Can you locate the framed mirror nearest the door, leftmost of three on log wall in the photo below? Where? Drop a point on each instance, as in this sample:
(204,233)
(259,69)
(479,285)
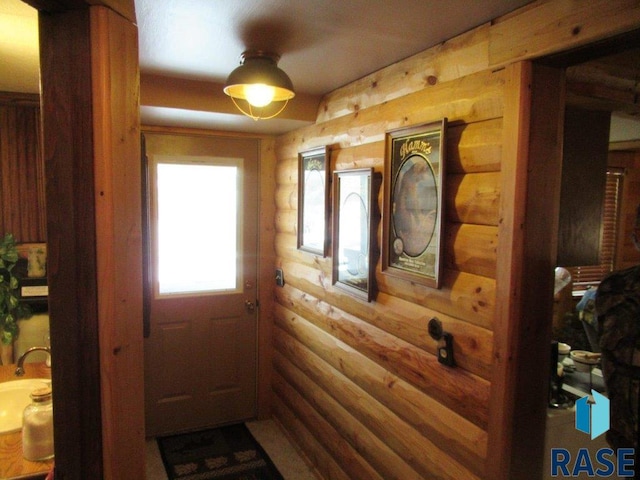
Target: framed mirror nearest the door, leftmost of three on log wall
(313,201)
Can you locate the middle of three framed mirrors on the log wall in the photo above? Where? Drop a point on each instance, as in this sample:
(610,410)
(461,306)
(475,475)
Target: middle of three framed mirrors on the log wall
(354,256)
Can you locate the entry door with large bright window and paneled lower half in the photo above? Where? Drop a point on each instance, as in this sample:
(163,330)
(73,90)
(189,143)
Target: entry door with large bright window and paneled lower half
(200,298)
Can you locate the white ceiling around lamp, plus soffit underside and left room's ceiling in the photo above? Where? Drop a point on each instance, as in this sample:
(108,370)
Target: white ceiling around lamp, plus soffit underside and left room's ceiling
(324,44)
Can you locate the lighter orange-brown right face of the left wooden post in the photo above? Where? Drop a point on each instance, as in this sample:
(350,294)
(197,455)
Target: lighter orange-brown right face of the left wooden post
(118,210)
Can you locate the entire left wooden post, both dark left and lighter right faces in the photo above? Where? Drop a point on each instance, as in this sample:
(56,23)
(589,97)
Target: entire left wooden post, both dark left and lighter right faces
(92,154)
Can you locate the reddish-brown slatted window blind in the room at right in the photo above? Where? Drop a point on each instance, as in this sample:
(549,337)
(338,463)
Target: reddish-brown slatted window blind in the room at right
(591,275)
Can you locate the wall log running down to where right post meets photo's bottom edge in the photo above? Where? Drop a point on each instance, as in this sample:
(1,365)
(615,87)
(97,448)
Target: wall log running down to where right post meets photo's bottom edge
(419,452)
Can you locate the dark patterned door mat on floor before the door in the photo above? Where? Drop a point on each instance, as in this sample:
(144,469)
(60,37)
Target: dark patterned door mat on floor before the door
(226,453)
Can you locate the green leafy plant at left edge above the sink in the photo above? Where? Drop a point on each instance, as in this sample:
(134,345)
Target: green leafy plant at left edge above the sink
(11,309)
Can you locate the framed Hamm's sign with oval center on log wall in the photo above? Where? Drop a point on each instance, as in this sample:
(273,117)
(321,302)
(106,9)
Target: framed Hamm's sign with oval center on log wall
(413,203)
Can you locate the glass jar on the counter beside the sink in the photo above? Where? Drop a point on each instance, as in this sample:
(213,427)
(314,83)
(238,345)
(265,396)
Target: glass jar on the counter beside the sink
(37,426)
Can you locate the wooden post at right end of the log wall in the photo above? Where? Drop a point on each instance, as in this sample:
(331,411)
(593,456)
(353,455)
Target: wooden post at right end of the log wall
(534,101)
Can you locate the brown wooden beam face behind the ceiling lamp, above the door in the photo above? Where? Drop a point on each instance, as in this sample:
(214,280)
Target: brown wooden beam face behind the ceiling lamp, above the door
(199,95)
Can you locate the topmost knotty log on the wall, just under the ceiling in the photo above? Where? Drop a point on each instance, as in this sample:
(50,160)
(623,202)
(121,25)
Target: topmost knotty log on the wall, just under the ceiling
(463,55)
